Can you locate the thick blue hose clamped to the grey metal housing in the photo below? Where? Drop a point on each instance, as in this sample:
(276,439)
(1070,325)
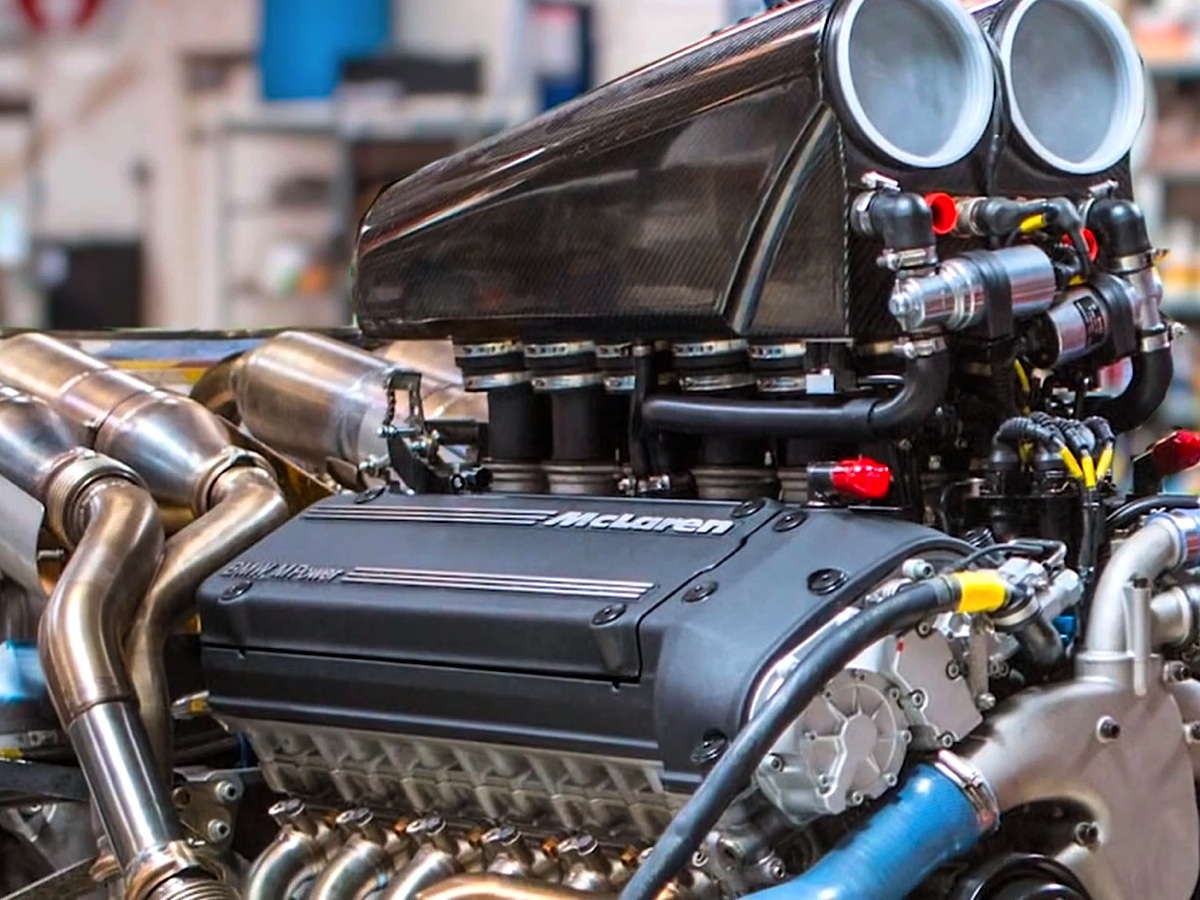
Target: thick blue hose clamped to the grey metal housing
(929,823)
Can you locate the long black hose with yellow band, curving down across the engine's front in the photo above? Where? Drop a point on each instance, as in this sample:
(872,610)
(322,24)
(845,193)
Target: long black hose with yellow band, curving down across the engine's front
(735,770)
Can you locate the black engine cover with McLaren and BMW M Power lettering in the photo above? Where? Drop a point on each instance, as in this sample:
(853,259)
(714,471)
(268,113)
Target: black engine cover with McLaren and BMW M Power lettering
(617,627)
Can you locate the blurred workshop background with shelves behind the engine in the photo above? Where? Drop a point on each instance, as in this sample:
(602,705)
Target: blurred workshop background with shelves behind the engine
(205,164)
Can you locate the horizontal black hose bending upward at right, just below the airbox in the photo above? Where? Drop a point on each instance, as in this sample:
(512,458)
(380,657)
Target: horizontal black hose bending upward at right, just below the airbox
(925,388)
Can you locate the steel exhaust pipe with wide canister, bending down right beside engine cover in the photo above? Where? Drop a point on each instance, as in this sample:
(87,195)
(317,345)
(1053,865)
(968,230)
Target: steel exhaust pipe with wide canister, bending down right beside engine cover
(184,454)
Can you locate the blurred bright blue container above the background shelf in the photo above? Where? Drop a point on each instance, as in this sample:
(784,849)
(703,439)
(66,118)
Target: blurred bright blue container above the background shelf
(305,41)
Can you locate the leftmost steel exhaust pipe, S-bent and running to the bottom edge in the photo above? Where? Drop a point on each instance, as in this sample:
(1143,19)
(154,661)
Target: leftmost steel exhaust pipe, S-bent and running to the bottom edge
(104,514)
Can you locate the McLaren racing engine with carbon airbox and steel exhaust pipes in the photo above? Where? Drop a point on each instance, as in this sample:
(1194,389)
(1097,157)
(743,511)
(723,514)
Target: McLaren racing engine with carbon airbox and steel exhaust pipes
(731,488)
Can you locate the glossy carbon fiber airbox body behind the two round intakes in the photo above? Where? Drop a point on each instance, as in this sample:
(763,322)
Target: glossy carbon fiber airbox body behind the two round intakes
(707,195)
